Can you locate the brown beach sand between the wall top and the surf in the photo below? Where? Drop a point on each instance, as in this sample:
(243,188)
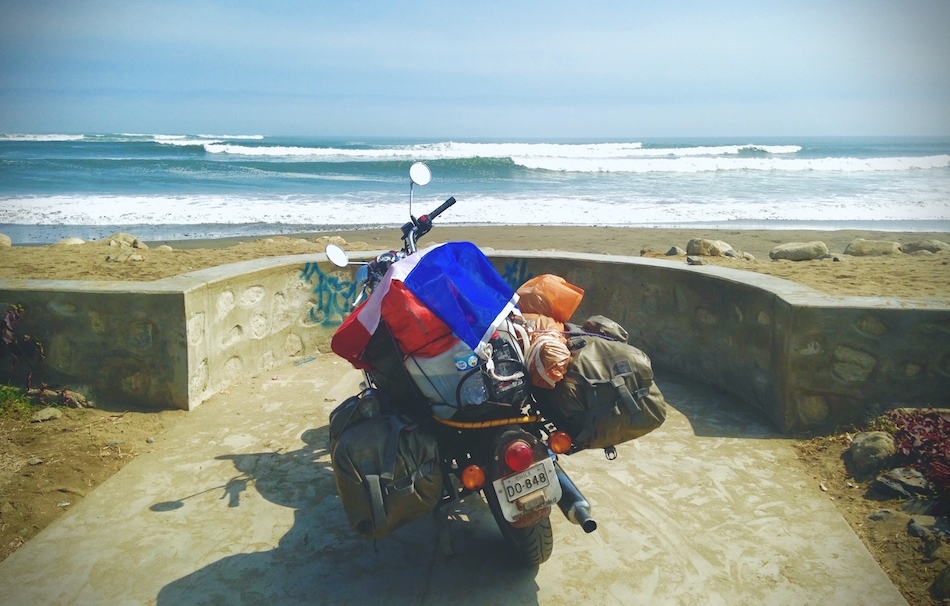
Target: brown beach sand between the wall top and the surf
(926,276)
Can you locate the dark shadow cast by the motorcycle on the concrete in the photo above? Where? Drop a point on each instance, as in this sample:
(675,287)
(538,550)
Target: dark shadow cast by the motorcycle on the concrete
(321,559)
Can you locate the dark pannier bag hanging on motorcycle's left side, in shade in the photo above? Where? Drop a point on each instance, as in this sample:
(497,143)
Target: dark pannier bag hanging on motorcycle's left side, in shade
(386,467)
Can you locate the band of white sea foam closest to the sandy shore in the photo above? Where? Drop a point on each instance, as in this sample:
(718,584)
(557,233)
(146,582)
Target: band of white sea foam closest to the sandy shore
(362,209)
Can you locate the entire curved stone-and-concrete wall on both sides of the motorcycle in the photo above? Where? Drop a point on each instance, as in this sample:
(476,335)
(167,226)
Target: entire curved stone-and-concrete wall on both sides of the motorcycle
(804,358)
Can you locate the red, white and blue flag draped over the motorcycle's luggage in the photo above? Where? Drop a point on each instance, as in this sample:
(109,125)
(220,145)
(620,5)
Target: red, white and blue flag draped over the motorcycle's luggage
(453,281)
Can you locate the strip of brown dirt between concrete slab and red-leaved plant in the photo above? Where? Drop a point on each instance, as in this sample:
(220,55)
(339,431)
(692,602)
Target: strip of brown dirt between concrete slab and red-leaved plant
(911,563)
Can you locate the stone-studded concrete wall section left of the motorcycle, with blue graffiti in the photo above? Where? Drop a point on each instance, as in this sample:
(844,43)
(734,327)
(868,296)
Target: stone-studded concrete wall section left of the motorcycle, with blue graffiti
(177,341)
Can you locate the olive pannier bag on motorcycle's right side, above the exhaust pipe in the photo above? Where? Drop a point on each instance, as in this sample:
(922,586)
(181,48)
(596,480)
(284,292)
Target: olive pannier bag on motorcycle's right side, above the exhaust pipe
(607,395)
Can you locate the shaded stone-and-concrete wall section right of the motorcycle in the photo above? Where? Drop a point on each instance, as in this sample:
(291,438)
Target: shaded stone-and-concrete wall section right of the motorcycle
(804,358)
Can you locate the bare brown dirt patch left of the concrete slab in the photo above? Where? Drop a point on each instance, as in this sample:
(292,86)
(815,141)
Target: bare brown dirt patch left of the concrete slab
(48,467)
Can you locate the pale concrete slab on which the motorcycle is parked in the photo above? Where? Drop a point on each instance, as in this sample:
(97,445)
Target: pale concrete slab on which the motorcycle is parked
(237,505)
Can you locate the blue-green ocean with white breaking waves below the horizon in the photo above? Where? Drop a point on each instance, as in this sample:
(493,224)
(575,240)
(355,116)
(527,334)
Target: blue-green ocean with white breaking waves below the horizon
(166,187)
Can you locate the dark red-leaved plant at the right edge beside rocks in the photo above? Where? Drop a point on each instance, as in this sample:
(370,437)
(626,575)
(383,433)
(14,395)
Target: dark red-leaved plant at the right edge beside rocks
(923,442)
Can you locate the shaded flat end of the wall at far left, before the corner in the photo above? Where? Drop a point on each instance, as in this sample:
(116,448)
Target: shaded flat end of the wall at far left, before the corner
(126,341)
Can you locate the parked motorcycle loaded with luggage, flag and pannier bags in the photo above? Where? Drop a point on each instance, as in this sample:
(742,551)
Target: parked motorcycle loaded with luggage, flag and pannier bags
(447,407)
